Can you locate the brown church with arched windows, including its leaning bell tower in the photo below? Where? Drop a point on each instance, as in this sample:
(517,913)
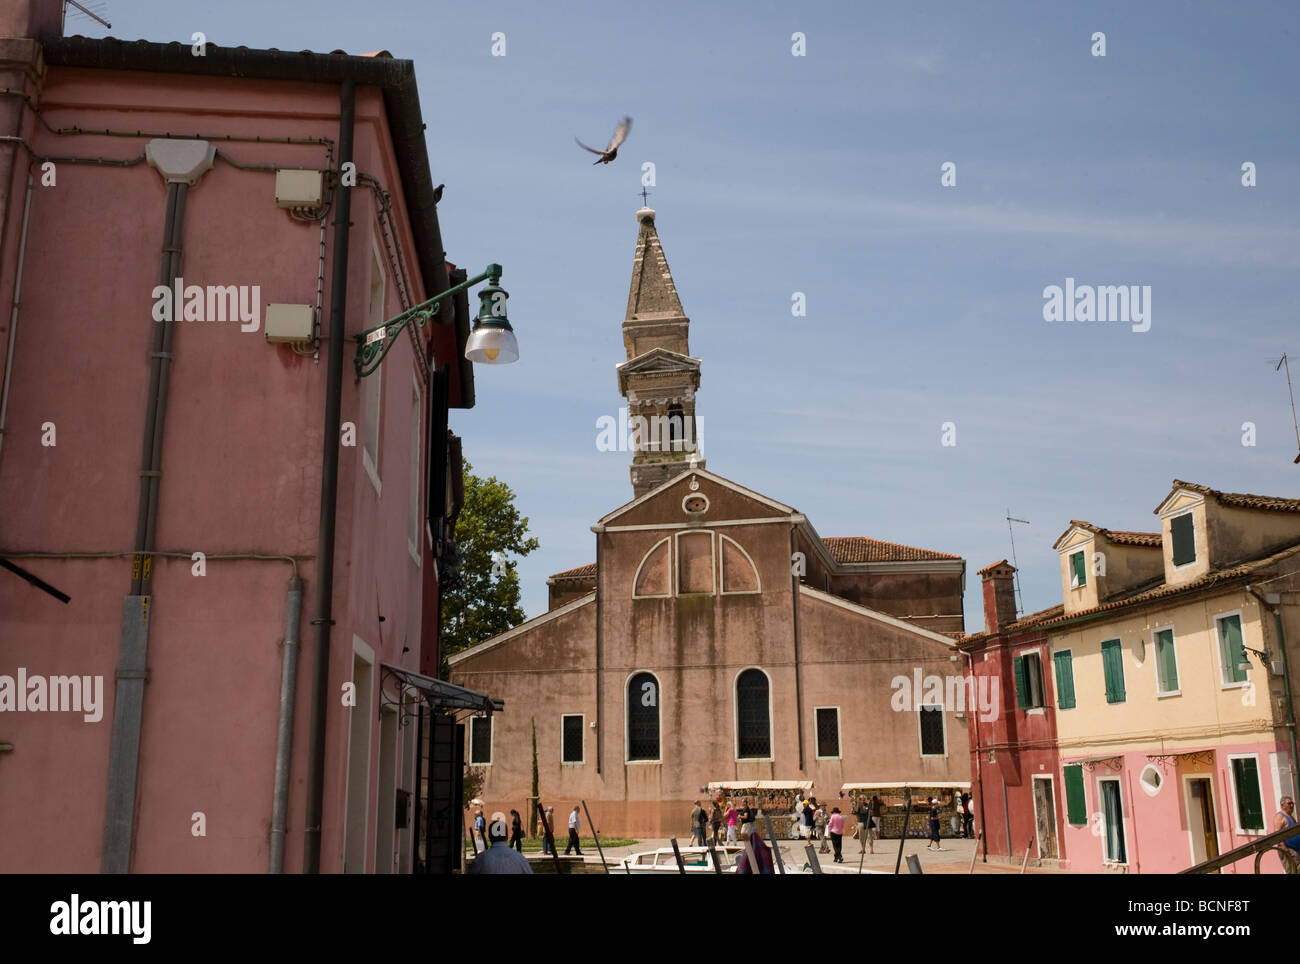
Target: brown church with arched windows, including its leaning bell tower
(718,637)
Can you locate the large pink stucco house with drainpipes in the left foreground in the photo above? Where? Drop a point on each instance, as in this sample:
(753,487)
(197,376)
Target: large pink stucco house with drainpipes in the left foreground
(220,548)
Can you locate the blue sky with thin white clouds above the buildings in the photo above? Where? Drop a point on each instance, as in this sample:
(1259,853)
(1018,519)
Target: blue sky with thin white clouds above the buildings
(925,303)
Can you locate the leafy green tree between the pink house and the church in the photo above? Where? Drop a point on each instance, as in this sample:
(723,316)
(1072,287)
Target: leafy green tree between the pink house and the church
(486,600)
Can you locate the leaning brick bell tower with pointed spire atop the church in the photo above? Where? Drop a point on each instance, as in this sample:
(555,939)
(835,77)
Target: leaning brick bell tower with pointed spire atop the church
(660,379)
